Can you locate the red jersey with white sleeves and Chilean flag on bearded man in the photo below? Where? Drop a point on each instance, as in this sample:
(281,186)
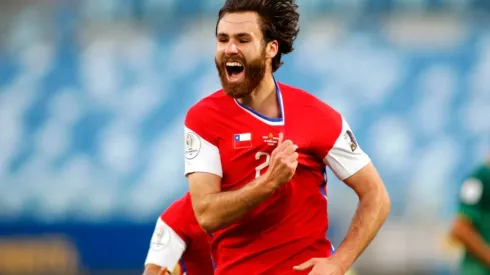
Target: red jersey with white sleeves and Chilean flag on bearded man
(228,139)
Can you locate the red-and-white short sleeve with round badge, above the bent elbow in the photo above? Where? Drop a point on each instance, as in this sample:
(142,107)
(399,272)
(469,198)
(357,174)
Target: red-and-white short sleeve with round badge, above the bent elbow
(201,144)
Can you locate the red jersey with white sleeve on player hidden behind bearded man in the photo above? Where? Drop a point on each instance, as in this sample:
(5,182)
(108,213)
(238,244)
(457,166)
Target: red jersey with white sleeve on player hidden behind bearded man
(178,239)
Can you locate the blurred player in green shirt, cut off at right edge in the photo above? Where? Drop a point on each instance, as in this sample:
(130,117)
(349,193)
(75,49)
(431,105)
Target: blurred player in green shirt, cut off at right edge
(472,225)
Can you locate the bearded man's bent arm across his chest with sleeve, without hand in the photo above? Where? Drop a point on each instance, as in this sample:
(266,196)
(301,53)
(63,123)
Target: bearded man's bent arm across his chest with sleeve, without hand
(213,208)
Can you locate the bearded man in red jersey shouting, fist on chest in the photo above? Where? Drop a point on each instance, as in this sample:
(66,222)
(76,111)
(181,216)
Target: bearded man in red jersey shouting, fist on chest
(256,153)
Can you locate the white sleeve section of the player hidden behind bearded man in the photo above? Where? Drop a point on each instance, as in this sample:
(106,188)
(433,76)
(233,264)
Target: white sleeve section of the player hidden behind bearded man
(166,247)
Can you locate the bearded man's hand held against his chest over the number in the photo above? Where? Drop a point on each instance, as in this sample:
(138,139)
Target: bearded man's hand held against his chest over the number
(283,164)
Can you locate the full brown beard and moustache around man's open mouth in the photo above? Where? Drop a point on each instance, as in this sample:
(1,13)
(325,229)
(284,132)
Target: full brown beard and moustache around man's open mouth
(253,70)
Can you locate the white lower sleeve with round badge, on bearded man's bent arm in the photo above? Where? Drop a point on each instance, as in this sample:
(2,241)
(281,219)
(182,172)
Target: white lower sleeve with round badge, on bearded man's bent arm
(200,155)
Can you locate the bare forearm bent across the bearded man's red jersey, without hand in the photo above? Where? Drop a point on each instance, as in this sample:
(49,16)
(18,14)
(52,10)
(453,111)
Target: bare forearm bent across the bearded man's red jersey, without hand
(219,210)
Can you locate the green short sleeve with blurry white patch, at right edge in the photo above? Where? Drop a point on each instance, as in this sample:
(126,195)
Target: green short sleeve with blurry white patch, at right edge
(470,196)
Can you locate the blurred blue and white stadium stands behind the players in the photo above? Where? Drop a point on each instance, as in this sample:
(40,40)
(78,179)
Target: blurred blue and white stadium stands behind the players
(93,96)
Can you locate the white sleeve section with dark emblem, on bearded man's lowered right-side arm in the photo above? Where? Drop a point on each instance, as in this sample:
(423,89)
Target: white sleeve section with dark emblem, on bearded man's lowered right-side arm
(346,157)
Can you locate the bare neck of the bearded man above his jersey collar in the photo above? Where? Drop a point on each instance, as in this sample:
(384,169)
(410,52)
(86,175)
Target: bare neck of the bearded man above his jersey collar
(263,99)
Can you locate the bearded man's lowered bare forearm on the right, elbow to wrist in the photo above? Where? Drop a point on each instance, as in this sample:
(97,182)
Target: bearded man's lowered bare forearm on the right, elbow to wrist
(371,213)
